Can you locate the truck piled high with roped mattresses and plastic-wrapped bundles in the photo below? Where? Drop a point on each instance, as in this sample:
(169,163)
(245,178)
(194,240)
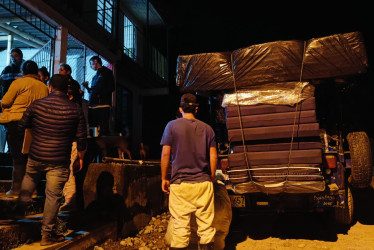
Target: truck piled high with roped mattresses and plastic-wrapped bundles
(276,150)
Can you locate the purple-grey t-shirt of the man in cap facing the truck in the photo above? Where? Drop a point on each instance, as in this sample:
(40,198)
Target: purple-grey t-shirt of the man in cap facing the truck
(190,140)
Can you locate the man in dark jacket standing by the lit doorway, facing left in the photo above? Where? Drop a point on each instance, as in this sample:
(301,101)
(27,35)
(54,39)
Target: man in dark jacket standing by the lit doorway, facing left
(100,101)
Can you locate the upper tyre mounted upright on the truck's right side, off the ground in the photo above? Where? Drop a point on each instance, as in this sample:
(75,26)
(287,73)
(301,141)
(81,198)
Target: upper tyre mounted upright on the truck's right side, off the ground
(361,160)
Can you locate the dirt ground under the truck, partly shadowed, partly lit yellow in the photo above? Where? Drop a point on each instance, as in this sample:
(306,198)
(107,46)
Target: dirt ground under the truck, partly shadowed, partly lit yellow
(306,231)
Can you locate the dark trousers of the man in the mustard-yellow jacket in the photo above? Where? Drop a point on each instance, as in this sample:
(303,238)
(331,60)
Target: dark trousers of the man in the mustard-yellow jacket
(15,143)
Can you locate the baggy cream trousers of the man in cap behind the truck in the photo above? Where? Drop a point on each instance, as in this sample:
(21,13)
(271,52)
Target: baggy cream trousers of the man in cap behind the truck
(191,198)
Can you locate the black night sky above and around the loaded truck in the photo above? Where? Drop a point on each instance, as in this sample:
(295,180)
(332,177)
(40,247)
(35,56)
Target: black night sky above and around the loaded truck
(214,26)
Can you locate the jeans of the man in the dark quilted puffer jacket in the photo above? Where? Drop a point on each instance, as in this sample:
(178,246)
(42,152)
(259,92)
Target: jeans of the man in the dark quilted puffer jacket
(56,175)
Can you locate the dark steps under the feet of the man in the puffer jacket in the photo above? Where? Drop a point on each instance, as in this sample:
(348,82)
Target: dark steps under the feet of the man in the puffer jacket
(81,232)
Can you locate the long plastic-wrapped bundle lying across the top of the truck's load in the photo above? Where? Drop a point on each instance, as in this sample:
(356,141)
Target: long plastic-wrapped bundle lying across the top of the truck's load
(332,56)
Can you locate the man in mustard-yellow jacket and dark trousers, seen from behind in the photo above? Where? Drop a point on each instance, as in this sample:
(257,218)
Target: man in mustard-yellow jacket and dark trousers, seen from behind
(21,93)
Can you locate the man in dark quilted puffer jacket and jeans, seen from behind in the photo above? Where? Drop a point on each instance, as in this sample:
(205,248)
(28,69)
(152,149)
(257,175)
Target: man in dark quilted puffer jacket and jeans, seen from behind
(56,122)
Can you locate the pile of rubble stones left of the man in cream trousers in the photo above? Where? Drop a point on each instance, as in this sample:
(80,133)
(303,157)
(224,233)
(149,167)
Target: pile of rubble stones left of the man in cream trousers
(150,237)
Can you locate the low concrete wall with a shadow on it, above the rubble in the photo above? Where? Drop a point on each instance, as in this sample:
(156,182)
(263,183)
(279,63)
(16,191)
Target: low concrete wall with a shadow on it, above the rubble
(138,188)
